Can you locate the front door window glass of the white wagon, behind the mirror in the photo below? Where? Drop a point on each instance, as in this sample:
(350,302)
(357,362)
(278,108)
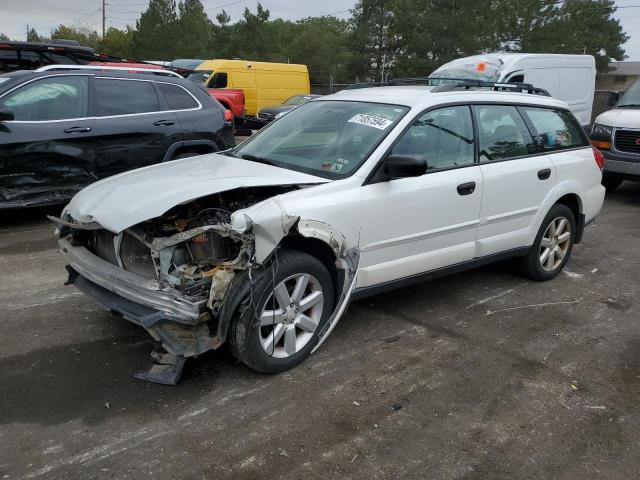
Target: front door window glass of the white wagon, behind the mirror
(444,137)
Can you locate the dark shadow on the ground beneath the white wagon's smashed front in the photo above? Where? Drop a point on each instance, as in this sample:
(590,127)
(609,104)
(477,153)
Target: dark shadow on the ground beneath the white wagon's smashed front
(93,381)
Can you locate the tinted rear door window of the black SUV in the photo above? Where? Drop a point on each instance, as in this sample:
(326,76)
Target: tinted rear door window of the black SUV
(124,97)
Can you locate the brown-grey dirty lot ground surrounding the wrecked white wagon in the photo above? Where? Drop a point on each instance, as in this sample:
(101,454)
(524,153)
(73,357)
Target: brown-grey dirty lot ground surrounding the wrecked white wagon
(479,375)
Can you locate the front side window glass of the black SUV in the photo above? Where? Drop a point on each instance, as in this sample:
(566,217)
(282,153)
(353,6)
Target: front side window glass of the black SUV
(53,98)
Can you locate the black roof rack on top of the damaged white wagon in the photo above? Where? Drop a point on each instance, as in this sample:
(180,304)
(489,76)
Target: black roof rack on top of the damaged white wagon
(455,83)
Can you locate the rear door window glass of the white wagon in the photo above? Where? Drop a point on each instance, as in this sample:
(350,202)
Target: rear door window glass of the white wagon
(502,133)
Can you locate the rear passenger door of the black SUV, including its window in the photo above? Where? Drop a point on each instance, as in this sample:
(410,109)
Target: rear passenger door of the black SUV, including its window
(135,128)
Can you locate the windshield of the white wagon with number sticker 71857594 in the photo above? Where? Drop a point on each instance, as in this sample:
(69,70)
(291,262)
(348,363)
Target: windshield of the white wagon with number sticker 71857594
(330,139)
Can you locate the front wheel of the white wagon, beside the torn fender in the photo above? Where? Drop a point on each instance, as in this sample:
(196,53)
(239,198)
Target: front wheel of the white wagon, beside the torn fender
(277,325)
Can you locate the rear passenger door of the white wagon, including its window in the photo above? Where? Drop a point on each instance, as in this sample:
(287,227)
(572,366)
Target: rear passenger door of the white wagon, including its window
(517,178)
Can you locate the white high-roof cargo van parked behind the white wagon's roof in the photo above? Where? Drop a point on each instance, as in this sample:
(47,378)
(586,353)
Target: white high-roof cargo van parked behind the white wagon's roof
(570,78)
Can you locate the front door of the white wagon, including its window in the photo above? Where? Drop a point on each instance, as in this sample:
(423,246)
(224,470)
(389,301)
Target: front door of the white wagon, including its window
(418,224)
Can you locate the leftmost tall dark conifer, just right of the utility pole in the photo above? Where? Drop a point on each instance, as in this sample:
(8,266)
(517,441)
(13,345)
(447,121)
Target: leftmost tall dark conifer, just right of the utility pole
(156,32)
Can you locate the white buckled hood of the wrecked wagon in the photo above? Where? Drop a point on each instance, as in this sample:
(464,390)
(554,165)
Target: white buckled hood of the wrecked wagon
(121,201)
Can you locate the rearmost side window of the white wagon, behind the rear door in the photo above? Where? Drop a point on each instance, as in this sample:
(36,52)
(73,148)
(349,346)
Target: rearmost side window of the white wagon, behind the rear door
(554,129)
